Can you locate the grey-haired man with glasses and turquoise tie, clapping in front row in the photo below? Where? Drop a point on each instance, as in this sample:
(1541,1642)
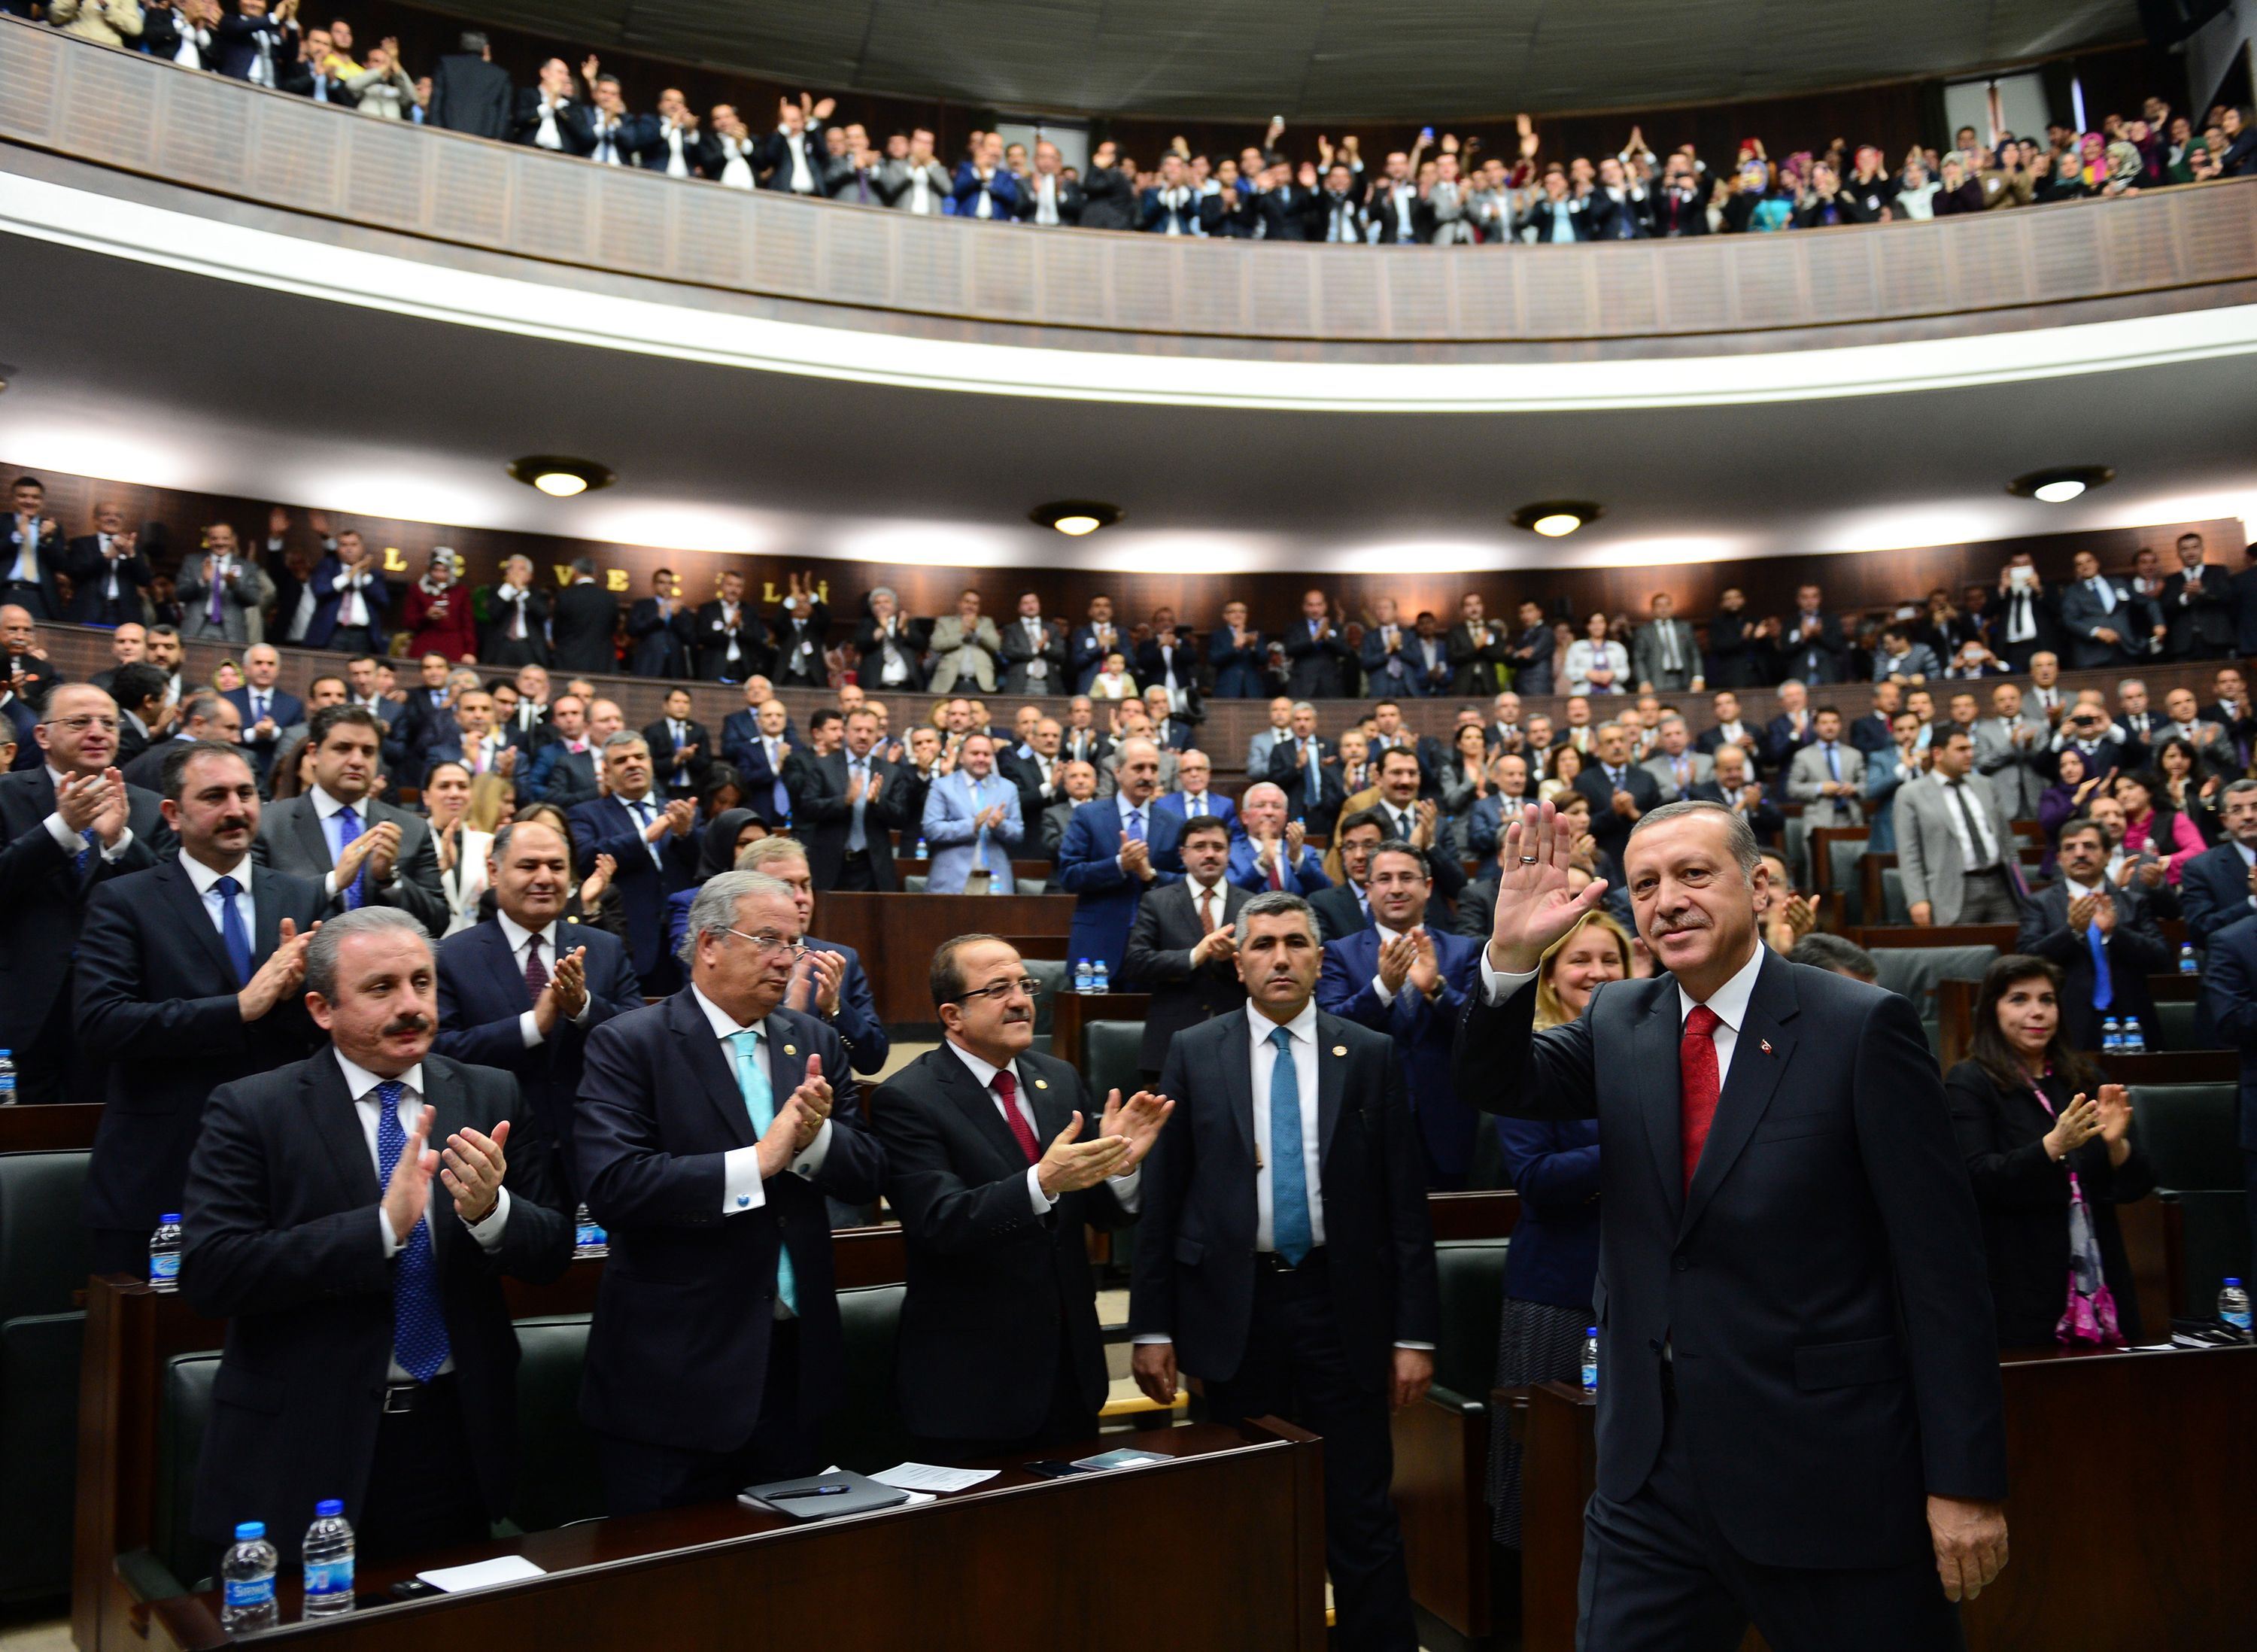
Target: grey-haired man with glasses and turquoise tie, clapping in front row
(712,1130)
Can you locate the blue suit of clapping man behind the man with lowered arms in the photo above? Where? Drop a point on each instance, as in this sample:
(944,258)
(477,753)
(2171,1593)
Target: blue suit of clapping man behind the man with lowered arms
(1423,1037)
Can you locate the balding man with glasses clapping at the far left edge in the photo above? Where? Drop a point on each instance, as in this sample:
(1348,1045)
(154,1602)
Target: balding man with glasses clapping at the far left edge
(67,825)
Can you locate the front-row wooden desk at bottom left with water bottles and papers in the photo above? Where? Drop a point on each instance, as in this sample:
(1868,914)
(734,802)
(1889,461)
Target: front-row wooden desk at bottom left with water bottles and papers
(1236,1529)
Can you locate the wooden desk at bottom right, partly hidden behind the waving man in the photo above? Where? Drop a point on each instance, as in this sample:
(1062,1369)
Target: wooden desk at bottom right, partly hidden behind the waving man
(2175,1506)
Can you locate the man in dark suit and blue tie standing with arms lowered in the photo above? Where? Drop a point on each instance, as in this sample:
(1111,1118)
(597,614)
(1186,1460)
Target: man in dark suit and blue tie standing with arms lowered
(1285,1254)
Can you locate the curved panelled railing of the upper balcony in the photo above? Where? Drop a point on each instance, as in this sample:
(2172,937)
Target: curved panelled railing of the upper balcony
(134,114)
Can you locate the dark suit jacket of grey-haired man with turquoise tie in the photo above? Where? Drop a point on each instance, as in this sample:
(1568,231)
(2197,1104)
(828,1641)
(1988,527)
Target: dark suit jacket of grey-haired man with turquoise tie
(678,1351)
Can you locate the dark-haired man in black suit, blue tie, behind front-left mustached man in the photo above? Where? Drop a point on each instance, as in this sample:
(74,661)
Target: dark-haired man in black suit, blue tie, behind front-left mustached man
(188,981)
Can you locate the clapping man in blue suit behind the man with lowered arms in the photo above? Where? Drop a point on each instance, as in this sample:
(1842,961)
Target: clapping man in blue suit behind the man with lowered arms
(1412,983)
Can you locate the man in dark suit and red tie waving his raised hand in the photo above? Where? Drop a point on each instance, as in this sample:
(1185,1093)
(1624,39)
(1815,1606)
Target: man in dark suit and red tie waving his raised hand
(1800,1414)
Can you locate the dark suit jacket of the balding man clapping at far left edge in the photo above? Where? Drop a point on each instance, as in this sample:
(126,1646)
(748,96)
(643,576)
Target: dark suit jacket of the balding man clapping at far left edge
(44,902)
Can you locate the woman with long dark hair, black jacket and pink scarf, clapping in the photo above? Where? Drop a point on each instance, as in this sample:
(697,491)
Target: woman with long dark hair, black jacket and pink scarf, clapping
(2050,1154)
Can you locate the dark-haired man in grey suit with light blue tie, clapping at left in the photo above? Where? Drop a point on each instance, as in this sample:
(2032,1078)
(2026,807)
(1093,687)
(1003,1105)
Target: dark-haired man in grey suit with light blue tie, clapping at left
(365,852)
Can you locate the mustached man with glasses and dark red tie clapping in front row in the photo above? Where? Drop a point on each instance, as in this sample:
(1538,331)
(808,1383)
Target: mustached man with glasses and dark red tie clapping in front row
(996,1161)
